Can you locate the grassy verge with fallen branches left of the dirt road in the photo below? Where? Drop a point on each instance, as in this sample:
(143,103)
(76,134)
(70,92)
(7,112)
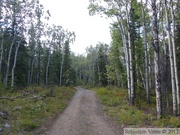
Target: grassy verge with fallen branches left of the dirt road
(28,113)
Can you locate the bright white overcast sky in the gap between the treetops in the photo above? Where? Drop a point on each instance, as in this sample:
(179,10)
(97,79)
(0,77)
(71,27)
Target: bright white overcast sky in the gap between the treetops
(74,16)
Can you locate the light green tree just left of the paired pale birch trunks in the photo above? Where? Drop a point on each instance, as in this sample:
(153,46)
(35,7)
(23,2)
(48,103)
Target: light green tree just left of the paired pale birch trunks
(115,69)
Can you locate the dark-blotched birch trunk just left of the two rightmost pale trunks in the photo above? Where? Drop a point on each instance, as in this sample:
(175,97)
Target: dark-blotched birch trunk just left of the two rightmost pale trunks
(156,60)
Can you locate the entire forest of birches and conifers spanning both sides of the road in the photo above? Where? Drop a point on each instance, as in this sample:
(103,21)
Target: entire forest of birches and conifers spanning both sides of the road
(143,57)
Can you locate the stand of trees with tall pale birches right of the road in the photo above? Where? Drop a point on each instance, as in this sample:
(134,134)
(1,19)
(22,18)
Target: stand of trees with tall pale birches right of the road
(144,54)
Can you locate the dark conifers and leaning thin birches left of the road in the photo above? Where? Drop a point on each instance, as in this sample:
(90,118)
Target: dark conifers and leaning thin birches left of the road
(32,52)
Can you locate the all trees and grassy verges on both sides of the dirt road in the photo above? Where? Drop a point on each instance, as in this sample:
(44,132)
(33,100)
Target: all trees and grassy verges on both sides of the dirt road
(142,58)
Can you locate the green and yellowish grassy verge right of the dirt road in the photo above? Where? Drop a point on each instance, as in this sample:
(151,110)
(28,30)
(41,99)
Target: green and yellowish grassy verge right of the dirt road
(141,115)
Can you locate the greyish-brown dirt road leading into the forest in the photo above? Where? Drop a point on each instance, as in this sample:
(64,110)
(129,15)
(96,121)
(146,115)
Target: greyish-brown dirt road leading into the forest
(83,117)
